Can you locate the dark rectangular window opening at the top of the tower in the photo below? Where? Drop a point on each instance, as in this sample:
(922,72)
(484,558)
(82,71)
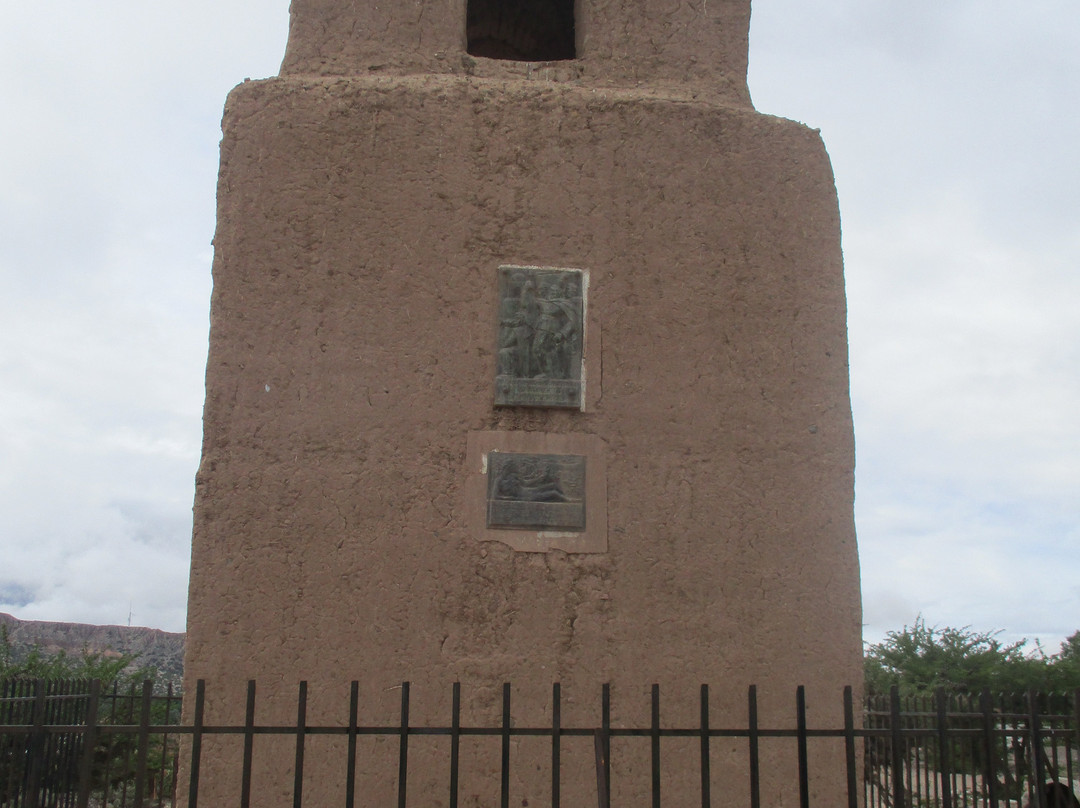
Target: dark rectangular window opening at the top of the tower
(526,31)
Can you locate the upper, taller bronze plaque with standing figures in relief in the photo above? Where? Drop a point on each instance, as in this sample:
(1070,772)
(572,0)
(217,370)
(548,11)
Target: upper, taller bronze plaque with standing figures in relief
(542,329)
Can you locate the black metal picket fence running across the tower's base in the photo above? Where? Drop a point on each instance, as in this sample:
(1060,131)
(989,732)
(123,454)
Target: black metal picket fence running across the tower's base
(71,745)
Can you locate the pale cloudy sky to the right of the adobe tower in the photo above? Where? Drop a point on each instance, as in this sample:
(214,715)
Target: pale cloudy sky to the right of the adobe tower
(953,130)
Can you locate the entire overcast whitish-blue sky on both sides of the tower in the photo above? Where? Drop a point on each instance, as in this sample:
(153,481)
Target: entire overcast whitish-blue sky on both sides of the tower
(954,131)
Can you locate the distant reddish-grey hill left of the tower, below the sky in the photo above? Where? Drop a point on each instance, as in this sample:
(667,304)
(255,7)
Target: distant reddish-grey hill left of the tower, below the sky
(152,648)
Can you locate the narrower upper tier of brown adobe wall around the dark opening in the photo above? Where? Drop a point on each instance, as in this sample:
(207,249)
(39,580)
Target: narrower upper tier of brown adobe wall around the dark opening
(699,46)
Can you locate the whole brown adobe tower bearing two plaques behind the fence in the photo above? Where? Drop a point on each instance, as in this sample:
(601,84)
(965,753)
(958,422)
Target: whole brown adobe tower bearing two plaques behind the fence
(528,363)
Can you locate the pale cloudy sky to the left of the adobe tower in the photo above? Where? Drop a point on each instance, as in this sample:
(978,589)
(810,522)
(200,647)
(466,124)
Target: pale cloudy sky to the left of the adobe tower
(109,211)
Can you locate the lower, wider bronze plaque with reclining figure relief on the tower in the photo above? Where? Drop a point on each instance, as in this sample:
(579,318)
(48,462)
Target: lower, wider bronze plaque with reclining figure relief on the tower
(536,492)
